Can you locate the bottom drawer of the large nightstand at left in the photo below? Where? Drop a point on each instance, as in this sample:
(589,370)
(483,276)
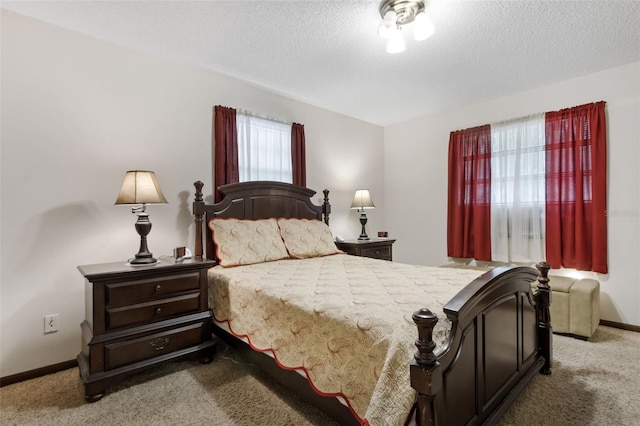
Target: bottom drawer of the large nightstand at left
(129,351)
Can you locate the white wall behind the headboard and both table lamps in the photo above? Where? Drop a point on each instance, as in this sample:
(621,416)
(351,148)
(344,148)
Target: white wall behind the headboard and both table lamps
(76,114)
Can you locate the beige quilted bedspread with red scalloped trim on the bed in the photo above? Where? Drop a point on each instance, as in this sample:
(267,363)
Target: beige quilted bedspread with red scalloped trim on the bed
(344,320)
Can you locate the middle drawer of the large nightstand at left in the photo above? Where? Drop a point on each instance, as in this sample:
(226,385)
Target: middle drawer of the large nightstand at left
(157,310)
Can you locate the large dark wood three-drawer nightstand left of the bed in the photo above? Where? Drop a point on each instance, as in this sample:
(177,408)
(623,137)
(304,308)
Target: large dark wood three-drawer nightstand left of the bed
(137,317)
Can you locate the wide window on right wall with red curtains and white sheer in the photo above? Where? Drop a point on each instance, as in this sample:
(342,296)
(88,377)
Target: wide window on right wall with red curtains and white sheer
(540,195)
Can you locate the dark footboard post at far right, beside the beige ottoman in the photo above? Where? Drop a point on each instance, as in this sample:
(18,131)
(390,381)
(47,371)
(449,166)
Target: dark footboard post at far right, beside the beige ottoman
(543,300)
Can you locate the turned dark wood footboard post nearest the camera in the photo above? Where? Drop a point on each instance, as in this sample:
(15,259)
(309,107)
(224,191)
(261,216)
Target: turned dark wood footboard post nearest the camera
(426,375)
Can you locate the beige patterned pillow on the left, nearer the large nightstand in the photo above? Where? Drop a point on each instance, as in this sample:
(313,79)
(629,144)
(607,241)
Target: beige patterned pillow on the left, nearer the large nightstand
(243,242)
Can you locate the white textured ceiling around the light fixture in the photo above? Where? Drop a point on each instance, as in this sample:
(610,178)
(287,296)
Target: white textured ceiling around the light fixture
(328,54)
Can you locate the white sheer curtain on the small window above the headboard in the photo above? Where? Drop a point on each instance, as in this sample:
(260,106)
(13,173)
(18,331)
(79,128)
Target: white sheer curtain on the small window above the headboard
(264,149)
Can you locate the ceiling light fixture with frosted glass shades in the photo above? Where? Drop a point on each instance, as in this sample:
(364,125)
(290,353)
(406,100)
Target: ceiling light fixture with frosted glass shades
(396,15)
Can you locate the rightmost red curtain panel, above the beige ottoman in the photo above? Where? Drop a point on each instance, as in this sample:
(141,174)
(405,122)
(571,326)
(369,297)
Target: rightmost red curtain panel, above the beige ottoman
(576,169)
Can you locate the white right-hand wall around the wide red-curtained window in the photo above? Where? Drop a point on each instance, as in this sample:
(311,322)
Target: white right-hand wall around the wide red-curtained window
(416,155)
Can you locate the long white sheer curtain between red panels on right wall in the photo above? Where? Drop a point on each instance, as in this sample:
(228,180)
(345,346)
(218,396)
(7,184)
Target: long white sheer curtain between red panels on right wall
(518,190)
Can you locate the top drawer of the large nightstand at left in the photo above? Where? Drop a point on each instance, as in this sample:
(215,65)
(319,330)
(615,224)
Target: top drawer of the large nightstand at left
(143,290)
